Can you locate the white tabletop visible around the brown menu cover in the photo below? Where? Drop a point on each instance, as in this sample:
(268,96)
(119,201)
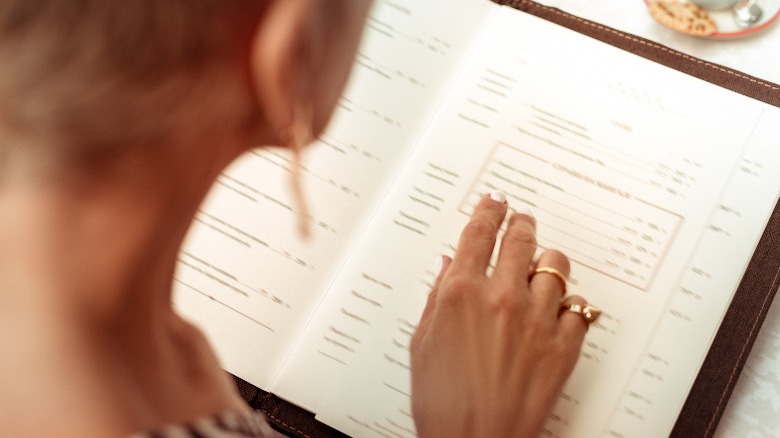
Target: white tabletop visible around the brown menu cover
(754,407)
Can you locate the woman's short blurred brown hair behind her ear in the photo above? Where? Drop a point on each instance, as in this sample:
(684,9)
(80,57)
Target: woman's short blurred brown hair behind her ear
(90,76)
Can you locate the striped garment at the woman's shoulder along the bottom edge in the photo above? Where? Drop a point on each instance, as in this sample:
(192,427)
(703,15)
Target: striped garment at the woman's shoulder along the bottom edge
(226,425)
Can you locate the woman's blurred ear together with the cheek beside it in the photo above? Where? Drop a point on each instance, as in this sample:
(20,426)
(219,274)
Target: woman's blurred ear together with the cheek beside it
(301,56)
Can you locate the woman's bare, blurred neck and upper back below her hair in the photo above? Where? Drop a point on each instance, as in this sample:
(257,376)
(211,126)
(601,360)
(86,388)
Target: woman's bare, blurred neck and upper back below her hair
(85,278)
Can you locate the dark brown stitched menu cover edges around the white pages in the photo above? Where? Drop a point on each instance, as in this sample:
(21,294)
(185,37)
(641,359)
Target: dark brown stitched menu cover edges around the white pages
(727,355)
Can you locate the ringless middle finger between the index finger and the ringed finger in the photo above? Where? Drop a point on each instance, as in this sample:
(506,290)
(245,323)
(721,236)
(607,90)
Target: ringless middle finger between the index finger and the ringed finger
(517,249)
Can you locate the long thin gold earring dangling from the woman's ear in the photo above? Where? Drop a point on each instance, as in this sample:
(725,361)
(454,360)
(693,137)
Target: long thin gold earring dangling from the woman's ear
(299,135)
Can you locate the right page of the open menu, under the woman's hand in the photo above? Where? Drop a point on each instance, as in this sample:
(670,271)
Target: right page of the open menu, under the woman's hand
(656,185)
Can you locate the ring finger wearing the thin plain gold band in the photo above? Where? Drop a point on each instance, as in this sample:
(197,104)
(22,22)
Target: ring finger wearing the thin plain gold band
(548,281)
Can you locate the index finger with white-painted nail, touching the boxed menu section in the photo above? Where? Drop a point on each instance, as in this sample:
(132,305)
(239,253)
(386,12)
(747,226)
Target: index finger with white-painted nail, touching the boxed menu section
(478,238)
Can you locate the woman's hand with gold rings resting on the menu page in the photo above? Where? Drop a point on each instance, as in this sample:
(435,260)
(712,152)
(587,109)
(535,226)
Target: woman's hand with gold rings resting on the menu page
(491,353)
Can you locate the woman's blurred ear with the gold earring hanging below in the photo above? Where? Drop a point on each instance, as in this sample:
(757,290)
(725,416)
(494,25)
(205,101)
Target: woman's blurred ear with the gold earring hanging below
(279,62)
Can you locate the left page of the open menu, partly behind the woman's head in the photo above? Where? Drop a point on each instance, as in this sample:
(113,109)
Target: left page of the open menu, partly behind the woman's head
(245,276)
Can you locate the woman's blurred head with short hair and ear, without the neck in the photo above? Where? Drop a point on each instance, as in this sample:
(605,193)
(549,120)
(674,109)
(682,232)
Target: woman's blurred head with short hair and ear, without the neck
(88,79)
